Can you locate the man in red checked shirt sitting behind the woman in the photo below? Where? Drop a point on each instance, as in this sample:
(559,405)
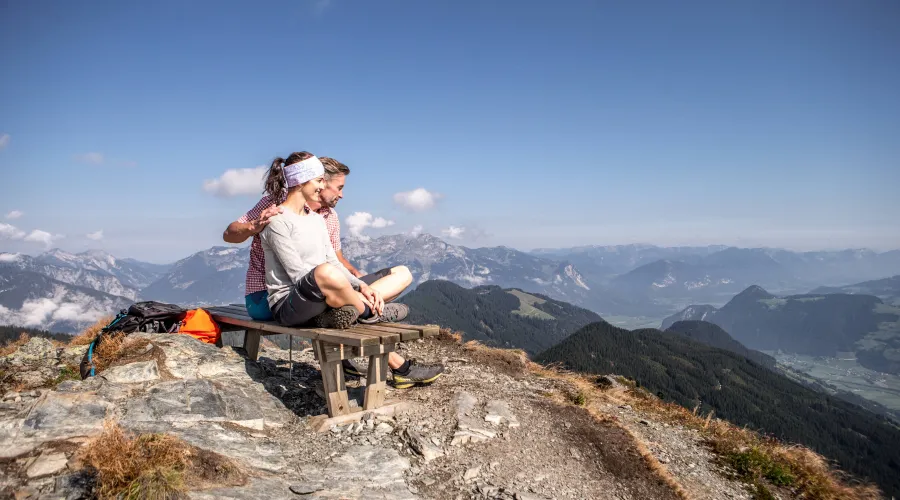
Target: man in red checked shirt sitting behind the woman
(388,283)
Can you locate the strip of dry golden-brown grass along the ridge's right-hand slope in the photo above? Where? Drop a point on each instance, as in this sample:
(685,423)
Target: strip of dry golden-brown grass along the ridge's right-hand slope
(765,464)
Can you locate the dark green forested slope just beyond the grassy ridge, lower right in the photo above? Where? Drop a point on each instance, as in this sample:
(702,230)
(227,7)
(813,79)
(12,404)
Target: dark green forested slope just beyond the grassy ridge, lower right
(693,374)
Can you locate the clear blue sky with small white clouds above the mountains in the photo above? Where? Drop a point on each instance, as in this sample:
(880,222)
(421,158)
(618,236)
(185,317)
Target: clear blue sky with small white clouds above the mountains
(140,128)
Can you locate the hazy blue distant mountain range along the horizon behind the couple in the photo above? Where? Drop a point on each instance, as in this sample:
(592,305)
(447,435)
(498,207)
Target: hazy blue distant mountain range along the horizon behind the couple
(628,280)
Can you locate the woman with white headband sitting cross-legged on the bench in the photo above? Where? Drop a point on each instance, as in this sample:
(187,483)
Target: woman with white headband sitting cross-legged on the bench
(304,279)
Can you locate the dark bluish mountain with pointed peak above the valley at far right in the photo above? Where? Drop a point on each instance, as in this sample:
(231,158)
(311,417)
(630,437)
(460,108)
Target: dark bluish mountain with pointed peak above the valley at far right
(813,324)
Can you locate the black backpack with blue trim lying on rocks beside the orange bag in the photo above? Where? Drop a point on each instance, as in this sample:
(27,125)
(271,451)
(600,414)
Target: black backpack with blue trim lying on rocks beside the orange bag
(146,317)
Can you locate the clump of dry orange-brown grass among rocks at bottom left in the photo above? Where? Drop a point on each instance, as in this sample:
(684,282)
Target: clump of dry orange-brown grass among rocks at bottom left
(152,466)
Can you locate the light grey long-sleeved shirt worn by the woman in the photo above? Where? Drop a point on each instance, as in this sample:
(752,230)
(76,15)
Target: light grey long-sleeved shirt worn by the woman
(295,245)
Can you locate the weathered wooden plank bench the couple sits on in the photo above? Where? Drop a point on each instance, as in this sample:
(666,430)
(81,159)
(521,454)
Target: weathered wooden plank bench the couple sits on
(330,347)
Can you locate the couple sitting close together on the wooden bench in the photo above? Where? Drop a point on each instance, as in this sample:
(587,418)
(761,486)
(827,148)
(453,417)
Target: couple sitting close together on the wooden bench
(297,273)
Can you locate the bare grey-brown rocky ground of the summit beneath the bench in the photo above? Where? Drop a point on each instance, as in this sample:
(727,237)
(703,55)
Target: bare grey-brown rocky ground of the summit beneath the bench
(488,429)
